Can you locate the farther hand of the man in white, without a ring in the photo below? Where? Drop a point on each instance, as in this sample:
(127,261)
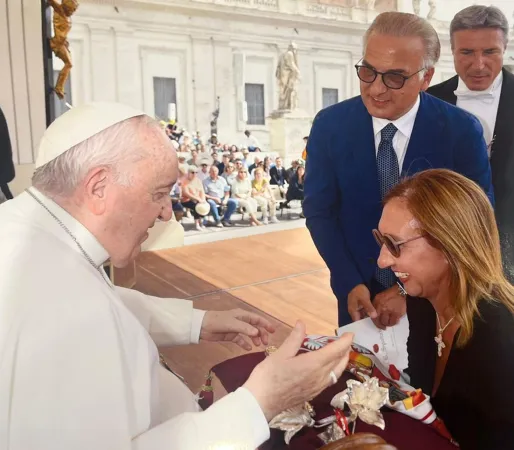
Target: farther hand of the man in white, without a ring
(236,325)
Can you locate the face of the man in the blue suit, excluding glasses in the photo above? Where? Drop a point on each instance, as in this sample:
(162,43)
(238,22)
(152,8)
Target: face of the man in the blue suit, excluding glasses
(402,55)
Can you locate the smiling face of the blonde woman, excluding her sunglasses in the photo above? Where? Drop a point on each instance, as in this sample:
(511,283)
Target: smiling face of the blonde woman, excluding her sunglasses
(421,268)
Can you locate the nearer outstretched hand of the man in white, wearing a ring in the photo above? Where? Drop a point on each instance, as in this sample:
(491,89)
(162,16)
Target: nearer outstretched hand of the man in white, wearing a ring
(285,379)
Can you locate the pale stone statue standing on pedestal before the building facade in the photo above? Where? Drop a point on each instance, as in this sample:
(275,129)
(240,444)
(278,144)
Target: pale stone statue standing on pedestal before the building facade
(288,74)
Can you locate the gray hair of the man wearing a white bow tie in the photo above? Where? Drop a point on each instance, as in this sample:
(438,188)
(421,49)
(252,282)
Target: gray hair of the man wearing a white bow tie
(479,16)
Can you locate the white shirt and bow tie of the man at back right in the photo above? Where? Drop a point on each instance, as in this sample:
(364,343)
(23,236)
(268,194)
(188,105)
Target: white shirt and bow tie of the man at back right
(482,104)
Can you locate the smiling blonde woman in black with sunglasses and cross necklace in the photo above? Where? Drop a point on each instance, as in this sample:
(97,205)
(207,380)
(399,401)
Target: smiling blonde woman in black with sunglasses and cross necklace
(439,236)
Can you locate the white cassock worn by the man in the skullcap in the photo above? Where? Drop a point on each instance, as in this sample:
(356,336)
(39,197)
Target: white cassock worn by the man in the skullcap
(79,367)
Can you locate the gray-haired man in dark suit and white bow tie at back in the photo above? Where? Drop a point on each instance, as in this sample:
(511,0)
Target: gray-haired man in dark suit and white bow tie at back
(484,88)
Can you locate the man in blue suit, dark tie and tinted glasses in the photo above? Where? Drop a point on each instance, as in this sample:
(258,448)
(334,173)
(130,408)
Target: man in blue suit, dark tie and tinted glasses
(359,148)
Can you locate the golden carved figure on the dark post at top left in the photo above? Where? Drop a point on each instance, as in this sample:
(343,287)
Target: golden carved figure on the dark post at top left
(59,43)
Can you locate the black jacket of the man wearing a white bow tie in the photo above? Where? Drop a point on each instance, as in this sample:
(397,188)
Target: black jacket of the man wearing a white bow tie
(502,161)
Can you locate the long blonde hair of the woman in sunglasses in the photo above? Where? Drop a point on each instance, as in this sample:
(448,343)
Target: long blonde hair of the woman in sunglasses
(457,218)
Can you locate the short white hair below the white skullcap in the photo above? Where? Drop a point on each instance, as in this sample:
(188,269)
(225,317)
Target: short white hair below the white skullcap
(114,148)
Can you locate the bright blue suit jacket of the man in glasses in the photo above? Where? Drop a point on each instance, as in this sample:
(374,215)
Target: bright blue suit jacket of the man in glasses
(342,197)
